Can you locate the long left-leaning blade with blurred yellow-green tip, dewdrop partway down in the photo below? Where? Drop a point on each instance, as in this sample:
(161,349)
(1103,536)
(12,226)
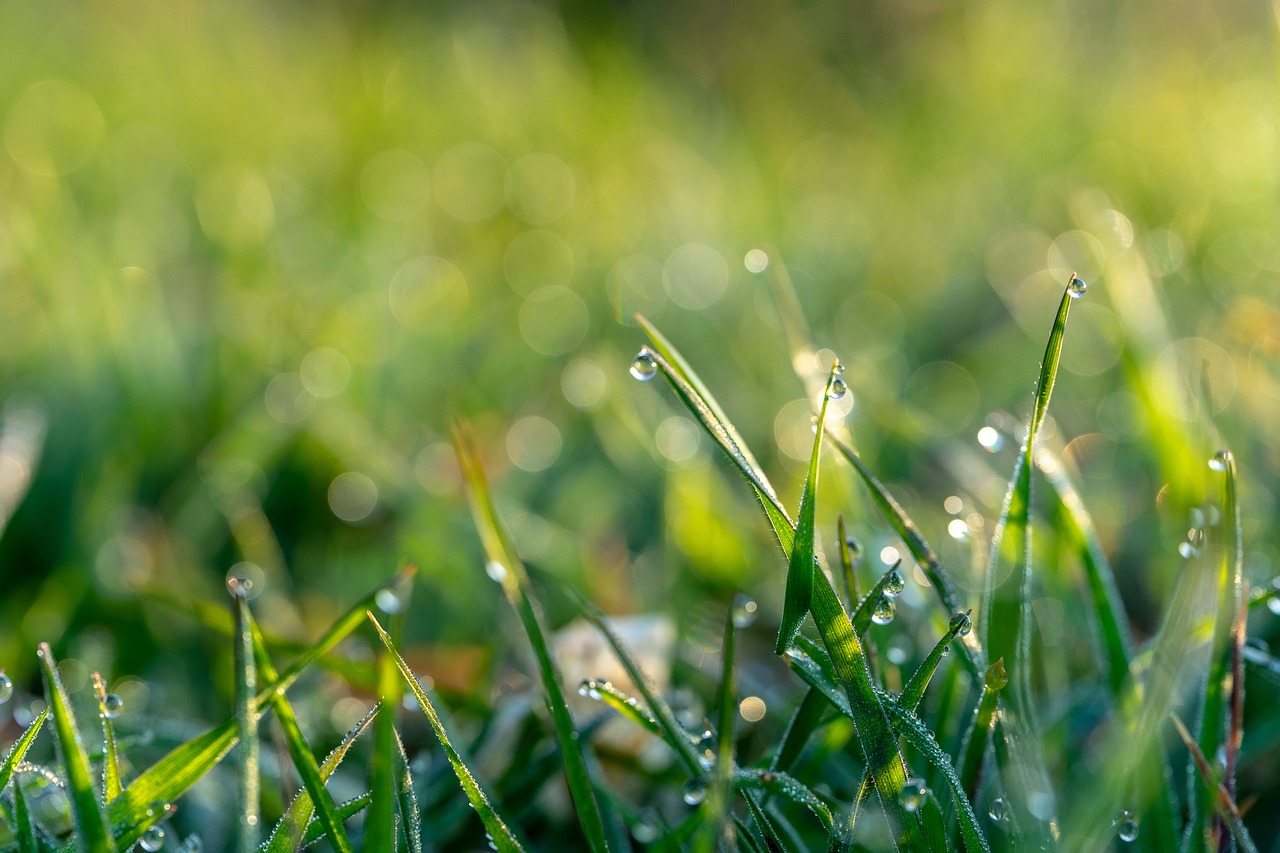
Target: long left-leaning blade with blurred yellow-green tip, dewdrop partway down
(500,549)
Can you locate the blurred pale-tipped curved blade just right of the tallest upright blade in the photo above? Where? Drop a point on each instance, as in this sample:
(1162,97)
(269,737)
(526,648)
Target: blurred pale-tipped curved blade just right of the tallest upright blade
(1105,605)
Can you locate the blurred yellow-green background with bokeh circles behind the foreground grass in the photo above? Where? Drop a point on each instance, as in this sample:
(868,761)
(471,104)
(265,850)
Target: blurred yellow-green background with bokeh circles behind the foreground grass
(254,261)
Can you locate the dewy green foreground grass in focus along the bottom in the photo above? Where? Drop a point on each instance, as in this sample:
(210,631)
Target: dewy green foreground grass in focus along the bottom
(870,759)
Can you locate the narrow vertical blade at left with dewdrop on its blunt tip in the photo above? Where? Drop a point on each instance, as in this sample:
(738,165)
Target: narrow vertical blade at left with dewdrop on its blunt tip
(248,777)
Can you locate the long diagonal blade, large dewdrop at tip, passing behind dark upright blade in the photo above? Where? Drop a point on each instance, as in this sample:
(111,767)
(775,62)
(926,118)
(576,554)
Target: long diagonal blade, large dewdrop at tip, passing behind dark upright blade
(871,722)
